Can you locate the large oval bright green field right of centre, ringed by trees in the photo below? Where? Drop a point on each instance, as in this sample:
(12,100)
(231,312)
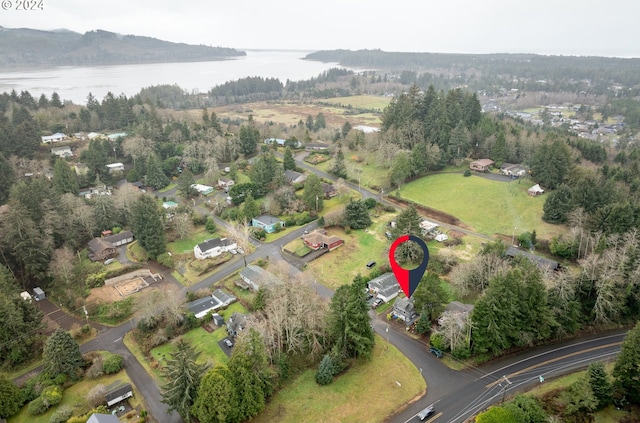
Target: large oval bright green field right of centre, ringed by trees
(485,206)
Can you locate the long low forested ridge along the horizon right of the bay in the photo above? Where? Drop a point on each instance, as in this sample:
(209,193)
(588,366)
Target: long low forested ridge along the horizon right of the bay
(532,66)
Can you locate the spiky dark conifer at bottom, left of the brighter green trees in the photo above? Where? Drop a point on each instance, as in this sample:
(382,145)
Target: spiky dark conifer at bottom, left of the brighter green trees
(183,374)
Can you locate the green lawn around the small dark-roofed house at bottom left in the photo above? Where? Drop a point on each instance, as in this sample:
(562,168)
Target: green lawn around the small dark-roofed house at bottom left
(75,397)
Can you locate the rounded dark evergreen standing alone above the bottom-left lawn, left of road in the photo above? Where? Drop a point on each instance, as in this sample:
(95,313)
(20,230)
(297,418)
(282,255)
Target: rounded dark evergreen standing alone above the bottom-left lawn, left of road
(61,355)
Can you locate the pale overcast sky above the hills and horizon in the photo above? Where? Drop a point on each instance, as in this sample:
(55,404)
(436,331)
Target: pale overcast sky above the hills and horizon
(567,27)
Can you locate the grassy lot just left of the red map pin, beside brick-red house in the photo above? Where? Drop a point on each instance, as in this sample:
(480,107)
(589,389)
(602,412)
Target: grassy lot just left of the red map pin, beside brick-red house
(360,248)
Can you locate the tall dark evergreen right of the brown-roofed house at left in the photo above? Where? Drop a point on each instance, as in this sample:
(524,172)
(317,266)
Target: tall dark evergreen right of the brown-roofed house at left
(146,222)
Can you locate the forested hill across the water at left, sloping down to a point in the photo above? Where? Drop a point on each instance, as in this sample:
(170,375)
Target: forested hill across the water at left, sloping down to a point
(28,47)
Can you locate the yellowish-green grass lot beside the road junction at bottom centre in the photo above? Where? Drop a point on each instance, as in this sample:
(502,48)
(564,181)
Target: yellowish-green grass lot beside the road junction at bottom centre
(365,393)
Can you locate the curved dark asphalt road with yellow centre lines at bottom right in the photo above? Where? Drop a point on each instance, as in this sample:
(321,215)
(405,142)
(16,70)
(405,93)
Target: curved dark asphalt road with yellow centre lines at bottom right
(460,395)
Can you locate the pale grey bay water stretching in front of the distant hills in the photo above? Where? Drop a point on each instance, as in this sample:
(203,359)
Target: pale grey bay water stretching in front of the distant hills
(76,82)
